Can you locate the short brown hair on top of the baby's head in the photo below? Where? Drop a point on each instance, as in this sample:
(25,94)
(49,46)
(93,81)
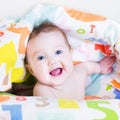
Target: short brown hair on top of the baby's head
(46,27)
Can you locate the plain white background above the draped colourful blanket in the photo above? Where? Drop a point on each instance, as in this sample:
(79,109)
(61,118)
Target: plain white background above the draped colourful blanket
(107,8)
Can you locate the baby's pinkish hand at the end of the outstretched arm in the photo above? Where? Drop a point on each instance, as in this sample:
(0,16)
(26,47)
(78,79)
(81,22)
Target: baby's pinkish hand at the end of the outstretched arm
(106,64)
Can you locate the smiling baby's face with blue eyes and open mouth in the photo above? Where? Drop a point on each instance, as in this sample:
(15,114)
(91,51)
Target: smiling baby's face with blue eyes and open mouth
(50,58)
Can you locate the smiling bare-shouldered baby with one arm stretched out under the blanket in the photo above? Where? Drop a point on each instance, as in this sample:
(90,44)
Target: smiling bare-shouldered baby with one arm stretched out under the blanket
(49,60)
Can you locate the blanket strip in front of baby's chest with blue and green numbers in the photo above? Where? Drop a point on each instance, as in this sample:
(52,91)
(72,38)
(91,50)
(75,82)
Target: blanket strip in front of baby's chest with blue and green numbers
(37,108)
